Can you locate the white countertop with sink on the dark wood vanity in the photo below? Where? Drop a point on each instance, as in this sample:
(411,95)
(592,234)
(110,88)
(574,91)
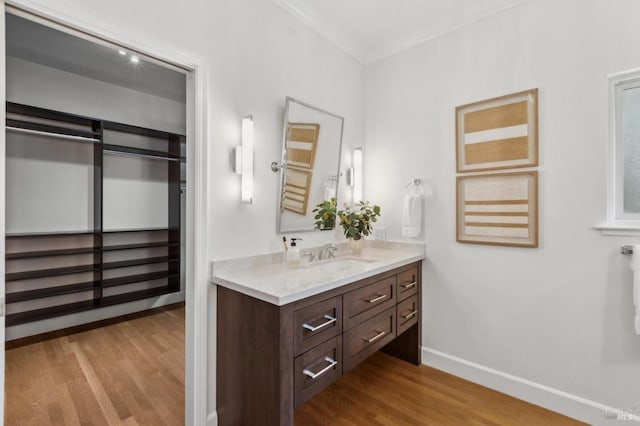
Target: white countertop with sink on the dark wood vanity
(268,278)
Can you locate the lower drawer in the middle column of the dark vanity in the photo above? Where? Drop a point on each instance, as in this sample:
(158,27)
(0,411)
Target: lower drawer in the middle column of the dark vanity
(368,337)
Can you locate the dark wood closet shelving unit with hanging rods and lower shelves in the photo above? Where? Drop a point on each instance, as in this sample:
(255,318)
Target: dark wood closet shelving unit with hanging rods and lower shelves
(98,241)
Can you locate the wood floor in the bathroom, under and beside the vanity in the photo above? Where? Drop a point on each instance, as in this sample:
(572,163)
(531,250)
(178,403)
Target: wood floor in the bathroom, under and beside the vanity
(387,391)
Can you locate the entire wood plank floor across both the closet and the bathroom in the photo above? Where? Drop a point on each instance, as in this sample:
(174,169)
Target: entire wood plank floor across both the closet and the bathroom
(132,373)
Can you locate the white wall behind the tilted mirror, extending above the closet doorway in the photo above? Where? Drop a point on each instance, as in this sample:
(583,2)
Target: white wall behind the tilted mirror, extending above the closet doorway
(257,54)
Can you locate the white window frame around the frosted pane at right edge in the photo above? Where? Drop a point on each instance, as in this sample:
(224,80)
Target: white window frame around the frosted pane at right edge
(616,217)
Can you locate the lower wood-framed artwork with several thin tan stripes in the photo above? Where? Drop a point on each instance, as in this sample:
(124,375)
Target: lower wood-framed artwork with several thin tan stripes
(498,209)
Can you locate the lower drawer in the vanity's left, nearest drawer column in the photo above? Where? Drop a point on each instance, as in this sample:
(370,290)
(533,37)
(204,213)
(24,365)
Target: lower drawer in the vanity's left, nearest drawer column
(316,369)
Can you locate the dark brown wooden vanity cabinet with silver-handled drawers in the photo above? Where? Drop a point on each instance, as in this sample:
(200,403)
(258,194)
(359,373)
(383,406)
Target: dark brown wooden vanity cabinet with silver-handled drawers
(270,359)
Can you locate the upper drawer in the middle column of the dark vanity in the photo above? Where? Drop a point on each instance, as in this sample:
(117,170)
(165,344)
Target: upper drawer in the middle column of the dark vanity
(366,302)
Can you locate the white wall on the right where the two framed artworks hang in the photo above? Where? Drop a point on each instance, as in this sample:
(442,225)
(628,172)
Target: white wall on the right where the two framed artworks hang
(559,315)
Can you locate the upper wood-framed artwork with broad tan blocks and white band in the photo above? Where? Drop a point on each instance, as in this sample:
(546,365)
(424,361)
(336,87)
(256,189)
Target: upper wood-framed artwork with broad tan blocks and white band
(498,133)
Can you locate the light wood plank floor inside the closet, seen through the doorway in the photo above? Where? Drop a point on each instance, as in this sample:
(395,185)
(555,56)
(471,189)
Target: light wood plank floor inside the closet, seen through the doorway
(129,373)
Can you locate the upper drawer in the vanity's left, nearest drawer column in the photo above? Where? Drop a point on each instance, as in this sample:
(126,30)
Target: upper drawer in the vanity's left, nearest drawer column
(317,323)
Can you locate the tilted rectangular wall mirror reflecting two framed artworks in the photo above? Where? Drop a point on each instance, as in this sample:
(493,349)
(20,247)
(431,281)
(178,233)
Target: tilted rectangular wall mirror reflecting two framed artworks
(311,158)
